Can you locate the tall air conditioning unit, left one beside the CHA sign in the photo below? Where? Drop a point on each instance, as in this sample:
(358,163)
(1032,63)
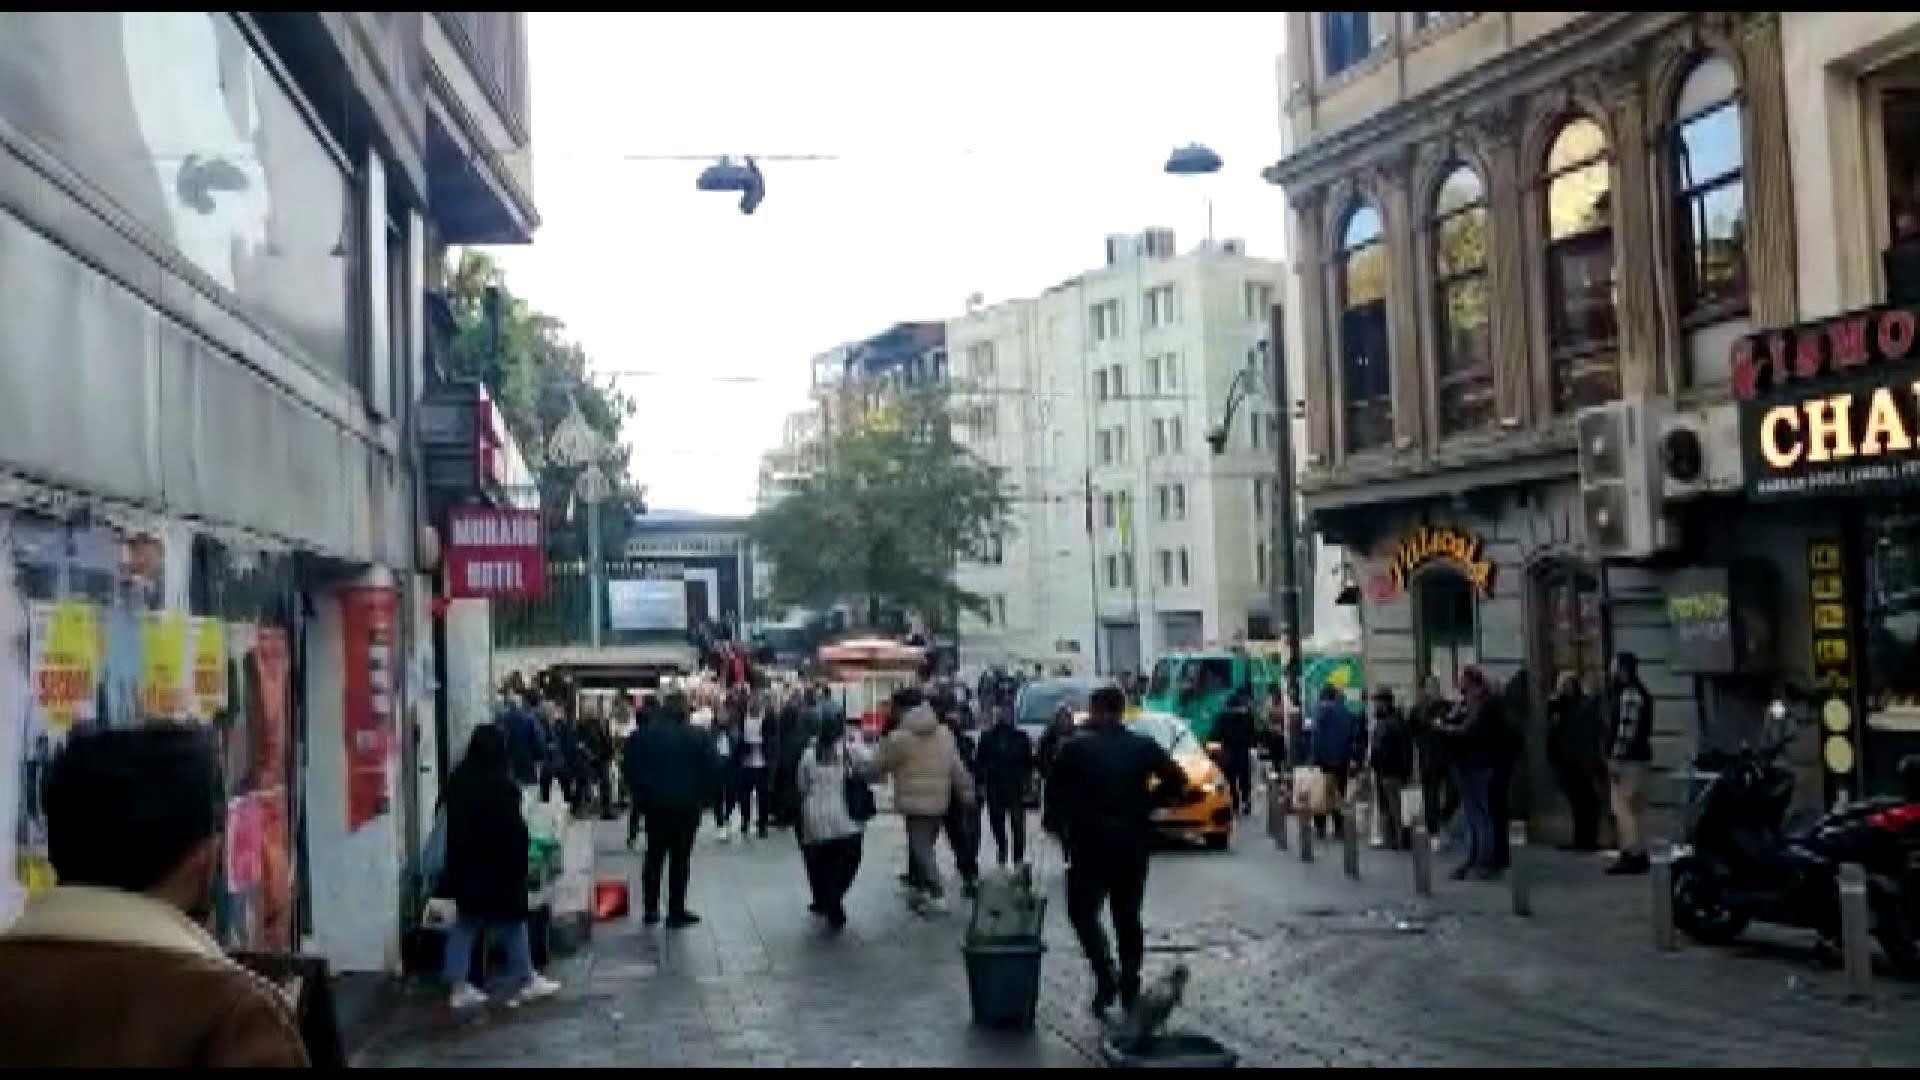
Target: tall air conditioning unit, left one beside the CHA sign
(1621,481)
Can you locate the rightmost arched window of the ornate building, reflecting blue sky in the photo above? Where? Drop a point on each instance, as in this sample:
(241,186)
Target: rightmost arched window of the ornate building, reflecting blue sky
(1710,195)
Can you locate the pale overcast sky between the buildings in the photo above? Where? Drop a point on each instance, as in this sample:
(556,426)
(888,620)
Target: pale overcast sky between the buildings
(984,153)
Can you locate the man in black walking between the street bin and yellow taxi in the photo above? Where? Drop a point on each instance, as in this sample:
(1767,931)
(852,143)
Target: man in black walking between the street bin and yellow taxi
(1101,802)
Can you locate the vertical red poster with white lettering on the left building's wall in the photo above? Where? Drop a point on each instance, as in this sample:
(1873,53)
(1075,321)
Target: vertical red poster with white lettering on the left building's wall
(370,650)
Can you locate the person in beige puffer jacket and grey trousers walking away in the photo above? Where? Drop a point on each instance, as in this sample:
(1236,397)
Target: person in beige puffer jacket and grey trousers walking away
(928,777)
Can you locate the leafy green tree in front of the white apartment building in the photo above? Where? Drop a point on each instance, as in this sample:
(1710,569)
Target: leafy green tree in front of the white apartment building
(884,522)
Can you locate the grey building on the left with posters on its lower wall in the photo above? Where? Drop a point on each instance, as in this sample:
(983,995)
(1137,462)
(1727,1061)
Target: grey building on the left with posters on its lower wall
(218,241)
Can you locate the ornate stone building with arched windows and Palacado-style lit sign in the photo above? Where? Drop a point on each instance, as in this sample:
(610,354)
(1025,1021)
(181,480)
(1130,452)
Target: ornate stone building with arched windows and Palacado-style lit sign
(1525,247)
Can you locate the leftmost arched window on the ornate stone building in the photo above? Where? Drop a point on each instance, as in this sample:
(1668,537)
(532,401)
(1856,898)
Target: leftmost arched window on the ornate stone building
(1364,364)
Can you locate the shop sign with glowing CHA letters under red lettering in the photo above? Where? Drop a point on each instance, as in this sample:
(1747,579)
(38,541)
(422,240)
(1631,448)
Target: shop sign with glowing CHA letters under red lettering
(1831,408)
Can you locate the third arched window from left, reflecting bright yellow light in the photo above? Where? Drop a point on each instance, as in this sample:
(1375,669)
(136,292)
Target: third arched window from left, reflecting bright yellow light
(1583,324)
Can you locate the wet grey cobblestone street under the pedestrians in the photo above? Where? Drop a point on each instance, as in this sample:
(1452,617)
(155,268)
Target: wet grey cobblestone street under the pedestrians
(1293,966)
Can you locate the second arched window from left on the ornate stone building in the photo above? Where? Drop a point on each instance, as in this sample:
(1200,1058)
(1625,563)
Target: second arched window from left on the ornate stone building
(1464,349)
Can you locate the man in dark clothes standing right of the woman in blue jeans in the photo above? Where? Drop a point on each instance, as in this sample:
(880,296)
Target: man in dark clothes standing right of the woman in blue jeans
(677,777)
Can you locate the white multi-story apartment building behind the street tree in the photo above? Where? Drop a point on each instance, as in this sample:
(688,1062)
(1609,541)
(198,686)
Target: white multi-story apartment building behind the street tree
(1130,537)
